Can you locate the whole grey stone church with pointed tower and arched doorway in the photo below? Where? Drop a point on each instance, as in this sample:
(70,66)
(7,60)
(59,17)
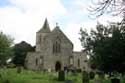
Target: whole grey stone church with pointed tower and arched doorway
(54,51)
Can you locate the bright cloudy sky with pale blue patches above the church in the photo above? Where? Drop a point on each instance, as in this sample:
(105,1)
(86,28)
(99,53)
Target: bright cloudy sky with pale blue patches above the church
(21,19)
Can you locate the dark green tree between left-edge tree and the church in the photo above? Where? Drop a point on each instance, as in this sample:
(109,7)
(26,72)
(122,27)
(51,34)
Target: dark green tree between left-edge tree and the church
(20,52)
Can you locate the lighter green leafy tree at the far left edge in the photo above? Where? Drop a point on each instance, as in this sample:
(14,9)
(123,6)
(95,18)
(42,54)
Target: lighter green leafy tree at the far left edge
(5,47)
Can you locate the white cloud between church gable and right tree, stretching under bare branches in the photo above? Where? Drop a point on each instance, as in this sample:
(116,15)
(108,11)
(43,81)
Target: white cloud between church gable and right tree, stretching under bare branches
(72,30)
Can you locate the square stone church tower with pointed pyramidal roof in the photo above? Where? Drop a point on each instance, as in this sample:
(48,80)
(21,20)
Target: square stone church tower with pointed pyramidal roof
(41,34)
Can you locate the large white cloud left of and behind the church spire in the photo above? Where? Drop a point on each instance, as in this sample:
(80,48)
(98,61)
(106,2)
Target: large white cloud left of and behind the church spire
(23,18)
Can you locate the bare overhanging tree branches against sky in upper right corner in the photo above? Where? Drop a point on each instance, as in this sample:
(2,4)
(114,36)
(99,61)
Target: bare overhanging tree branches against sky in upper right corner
(113,7)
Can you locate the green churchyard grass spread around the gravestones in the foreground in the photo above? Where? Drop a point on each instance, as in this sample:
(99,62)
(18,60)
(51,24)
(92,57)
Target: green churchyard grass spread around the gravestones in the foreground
(38,77)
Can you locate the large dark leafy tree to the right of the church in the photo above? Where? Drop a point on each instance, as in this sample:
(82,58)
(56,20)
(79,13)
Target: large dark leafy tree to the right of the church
(106,46)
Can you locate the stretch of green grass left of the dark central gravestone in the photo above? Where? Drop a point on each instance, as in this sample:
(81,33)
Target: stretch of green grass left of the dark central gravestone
(27,76)
